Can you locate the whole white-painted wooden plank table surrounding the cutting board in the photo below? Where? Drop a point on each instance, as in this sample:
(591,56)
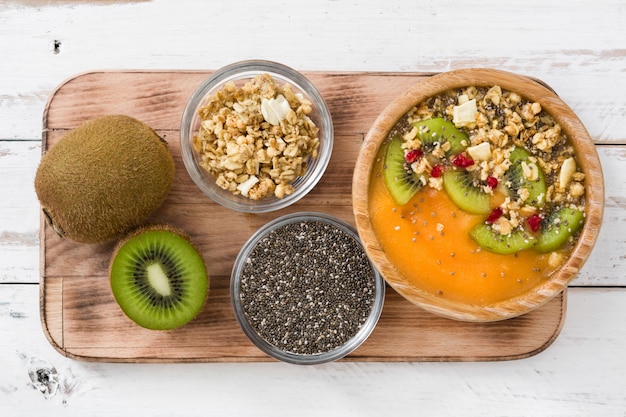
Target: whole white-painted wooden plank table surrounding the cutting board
(578,48)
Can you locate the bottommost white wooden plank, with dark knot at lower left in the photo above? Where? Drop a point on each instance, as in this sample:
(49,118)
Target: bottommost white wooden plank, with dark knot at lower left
(582,374)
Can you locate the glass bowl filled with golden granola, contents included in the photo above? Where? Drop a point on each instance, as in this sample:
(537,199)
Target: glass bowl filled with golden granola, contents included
(256,136)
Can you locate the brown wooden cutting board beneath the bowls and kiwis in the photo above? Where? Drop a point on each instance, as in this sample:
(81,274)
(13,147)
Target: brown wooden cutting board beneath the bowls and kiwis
(82,320)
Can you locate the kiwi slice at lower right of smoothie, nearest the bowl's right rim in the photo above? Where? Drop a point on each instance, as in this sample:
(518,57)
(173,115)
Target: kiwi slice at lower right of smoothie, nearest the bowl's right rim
(558,227)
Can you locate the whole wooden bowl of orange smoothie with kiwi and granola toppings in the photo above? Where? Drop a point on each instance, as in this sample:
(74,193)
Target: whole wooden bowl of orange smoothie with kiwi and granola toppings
(478,194)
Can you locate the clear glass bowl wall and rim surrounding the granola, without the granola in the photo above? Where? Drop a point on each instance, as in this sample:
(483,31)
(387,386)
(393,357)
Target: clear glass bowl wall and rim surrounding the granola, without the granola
(240,73)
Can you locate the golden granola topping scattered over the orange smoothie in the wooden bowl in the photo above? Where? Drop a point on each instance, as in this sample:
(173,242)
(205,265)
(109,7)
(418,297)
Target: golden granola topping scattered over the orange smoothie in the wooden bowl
(500,121)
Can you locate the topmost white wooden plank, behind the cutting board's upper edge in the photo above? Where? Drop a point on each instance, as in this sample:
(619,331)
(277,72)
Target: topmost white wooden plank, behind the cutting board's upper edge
(571,46)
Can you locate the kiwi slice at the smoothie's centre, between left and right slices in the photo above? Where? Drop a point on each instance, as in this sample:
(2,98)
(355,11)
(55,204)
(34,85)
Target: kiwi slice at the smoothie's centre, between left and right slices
(465,193)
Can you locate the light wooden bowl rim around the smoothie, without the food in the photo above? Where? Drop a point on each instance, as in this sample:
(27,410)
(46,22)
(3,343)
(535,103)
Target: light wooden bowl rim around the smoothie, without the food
(587,159)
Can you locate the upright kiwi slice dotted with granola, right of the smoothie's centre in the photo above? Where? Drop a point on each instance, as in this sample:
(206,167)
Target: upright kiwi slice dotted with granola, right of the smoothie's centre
(518,180)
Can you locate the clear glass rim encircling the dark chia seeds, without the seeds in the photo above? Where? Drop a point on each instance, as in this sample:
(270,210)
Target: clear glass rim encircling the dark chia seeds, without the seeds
(354,342)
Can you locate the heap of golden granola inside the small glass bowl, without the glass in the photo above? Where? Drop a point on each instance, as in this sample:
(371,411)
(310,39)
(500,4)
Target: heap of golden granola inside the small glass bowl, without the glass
(256,139)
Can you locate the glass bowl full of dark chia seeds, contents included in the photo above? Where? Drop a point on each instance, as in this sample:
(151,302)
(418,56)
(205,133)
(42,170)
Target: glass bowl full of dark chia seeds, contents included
(304,291)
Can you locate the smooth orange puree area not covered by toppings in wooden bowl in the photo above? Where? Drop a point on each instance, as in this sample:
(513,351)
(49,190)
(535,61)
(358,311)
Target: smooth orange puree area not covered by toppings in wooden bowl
(427,240)
